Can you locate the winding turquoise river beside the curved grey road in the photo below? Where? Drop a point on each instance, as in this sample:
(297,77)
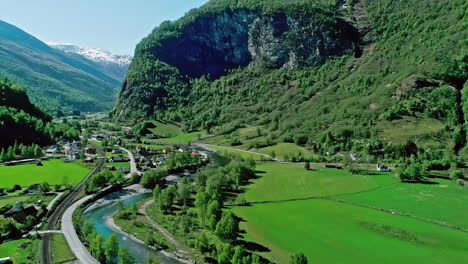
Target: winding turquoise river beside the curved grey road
(101,211)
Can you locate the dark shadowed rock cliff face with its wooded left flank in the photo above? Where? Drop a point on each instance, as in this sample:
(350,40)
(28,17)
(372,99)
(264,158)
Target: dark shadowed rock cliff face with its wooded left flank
(214,44)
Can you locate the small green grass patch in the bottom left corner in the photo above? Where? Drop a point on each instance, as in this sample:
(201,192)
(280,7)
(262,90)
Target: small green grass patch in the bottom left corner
(21,251)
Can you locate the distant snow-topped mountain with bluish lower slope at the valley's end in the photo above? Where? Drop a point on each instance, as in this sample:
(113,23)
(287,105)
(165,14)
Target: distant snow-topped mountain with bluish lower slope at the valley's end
(113,65)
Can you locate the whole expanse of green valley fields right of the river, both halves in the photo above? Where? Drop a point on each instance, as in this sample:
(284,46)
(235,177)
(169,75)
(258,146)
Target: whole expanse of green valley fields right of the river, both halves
(332,232)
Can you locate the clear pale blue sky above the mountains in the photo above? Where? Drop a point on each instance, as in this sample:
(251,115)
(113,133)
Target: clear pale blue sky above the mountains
(113,25)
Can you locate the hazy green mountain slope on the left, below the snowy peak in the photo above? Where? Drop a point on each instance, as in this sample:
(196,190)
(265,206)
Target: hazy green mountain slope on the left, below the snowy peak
(54,78)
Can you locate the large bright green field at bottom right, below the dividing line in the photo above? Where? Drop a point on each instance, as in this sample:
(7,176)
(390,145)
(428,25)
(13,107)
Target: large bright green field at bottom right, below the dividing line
(330,232)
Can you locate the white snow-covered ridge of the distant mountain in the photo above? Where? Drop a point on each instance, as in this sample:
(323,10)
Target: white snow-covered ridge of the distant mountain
(94,54)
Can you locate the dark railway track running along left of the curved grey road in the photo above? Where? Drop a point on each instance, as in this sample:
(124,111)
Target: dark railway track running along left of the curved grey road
(45,249)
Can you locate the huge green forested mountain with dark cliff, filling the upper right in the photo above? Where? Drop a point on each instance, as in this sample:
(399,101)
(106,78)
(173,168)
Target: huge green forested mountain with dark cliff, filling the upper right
(358,75)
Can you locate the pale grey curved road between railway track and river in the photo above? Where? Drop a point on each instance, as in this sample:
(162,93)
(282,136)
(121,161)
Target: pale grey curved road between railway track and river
(68,229)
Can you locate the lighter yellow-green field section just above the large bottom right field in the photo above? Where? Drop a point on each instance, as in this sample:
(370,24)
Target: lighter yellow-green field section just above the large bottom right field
(291,181)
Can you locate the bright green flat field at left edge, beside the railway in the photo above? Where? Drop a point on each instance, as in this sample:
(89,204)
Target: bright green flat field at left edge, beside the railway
(54,172)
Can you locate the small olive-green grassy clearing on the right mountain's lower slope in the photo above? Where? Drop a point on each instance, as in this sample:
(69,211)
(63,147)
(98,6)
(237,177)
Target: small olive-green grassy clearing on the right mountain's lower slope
(400,131)
